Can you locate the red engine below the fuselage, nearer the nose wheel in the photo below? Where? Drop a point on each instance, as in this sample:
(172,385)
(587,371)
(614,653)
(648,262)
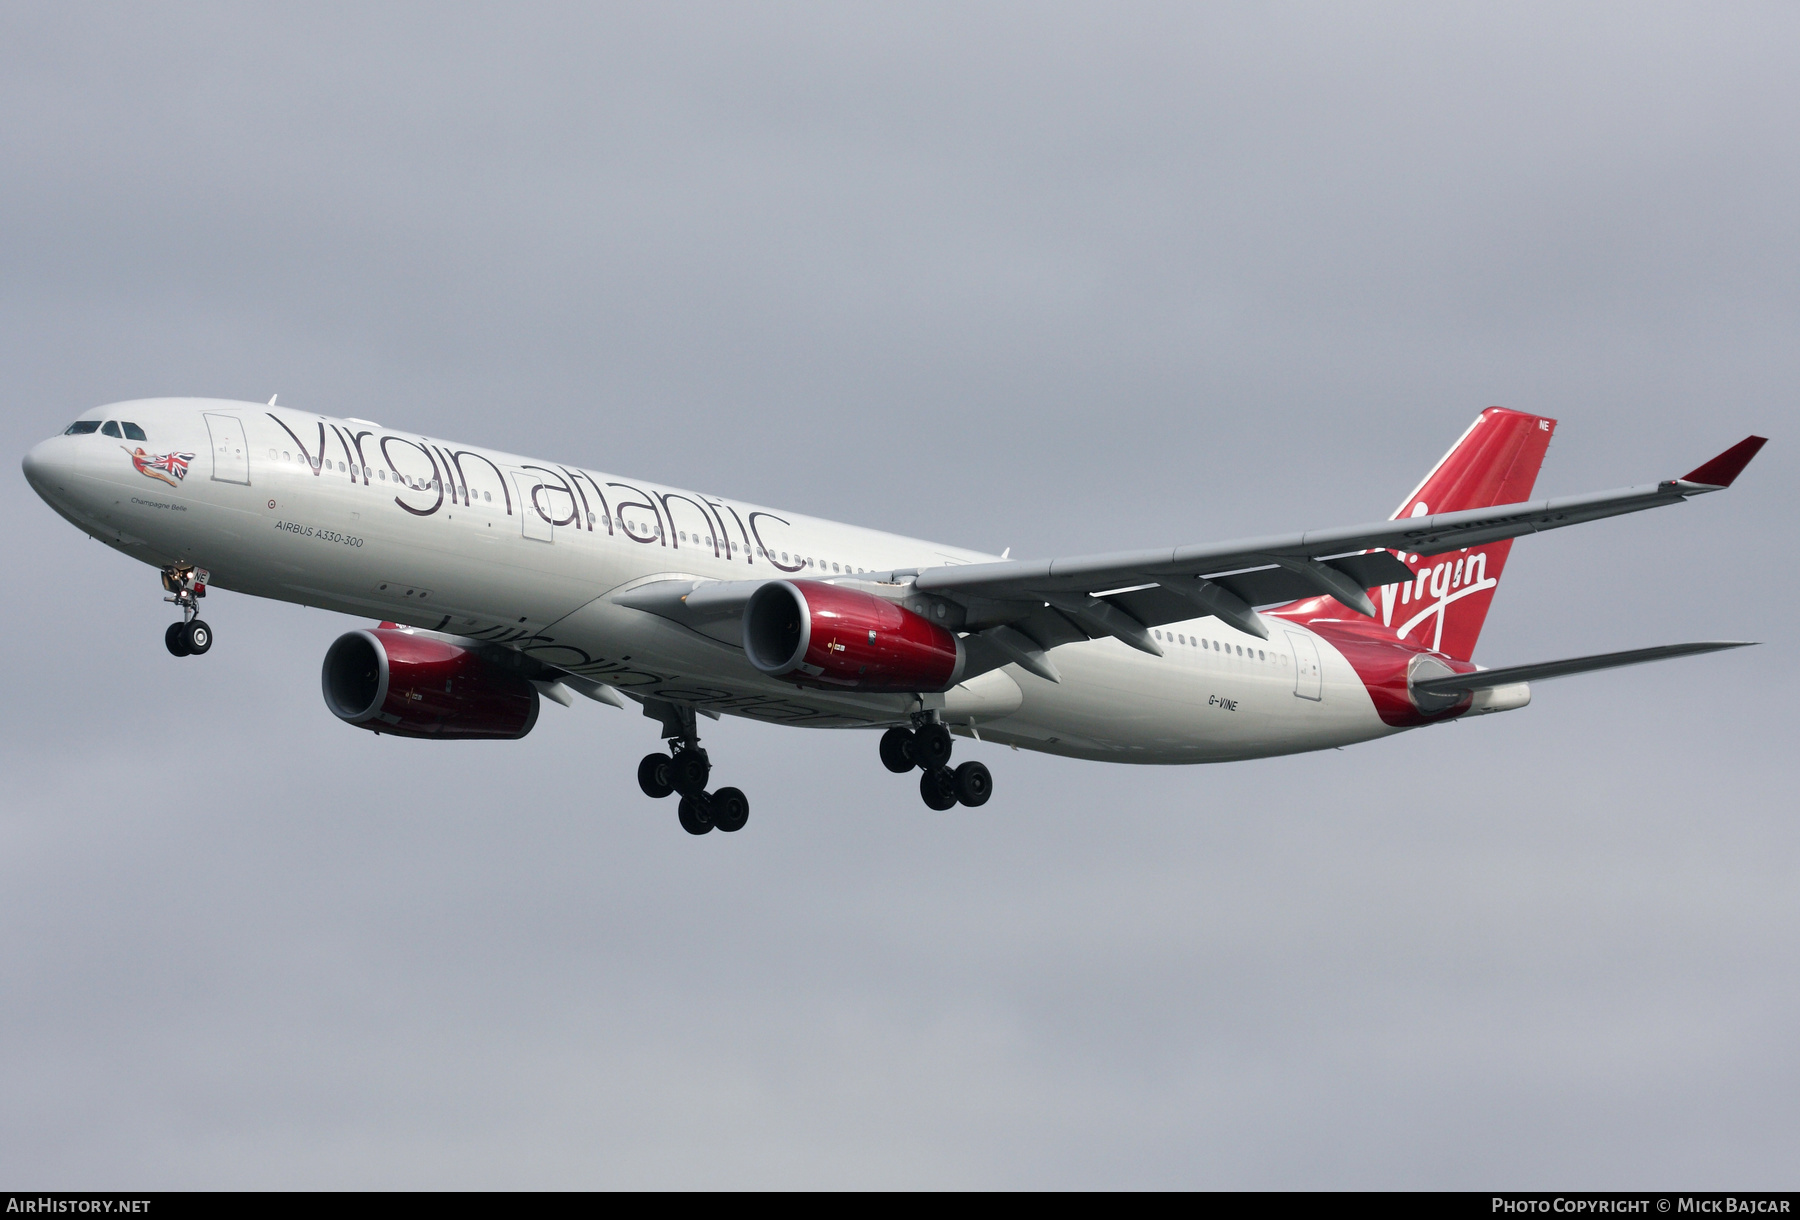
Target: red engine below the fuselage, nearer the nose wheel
(417,686)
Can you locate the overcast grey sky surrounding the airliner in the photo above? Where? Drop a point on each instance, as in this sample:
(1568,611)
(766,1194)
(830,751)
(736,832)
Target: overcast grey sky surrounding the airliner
(1011,276)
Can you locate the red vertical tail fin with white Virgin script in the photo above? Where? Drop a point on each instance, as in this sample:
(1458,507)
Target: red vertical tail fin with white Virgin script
(1495,463)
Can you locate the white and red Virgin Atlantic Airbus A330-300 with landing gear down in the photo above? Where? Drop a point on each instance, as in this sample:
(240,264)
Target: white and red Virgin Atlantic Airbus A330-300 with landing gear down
(503,580)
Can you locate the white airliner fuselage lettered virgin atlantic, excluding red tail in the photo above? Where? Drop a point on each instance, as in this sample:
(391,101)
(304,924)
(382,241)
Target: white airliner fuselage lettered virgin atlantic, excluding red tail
(368,521)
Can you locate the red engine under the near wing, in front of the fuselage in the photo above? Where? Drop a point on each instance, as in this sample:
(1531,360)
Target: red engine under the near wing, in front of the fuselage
(829,636)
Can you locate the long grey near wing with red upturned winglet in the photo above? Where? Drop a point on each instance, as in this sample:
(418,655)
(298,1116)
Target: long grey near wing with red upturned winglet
(1128,593)
